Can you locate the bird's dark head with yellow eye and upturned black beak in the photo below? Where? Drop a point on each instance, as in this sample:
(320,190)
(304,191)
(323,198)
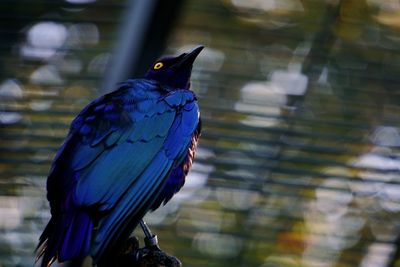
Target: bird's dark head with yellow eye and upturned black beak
(174,71)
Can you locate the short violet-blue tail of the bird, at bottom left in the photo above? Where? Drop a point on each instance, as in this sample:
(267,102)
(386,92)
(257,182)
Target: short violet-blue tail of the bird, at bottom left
(66,237)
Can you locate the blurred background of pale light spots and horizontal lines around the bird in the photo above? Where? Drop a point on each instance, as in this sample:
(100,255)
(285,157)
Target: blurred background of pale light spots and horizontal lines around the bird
(299,160)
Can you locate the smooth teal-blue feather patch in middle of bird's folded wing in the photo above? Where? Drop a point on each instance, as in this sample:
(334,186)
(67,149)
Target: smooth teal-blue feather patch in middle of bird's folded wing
(114,172)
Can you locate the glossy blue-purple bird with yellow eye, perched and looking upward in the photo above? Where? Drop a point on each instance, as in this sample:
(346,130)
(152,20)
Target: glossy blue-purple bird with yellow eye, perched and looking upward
(126,153)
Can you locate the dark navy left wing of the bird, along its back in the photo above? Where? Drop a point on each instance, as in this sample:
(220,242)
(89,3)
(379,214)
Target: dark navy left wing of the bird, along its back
(93,132)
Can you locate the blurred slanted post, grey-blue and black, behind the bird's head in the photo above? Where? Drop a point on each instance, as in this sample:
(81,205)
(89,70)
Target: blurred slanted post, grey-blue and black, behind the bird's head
(142,37)
